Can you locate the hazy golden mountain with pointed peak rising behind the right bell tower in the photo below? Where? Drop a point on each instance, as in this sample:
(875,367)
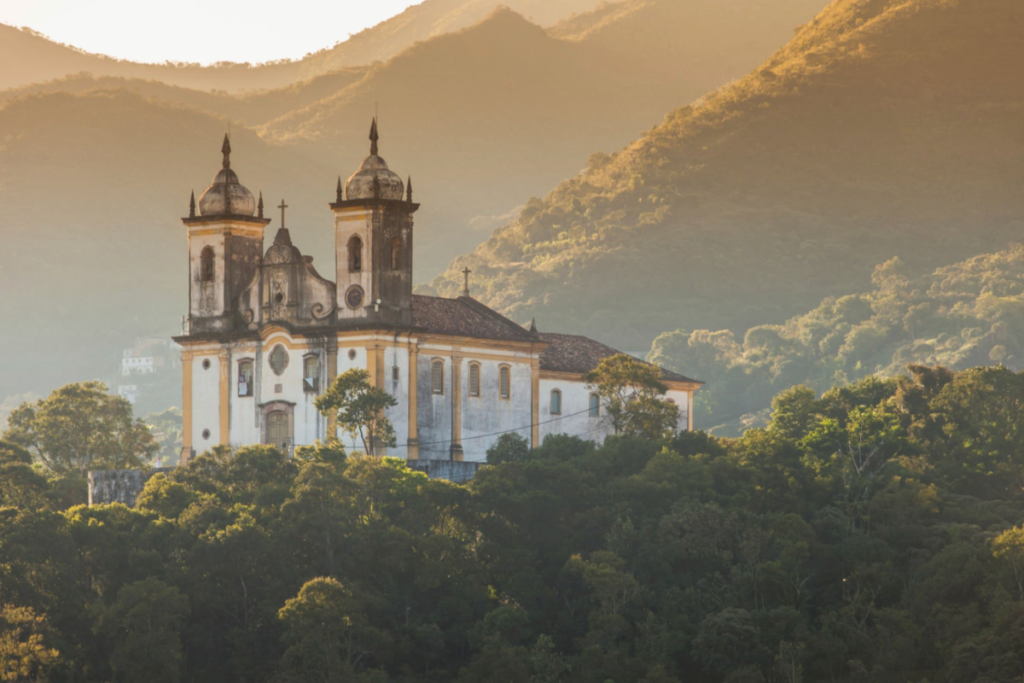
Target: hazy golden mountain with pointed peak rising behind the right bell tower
(504,110)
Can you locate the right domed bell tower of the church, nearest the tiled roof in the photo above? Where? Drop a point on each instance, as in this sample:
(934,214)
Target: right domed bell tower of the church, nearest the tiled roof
(373,219)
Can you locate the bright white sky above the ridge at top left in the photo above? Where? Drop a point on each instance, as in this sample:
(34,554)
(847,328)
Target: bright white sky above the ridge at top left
(201,31)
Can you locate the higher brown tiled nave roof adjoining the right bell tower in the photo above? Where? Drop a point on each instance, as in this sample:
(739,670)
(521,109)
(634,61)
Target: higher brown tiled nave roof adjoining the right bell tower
(466,318)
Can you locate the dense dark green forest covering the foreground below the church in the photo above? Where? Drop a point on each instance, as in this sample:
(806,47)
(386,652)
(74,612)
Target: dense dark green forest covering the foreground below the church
(872,534)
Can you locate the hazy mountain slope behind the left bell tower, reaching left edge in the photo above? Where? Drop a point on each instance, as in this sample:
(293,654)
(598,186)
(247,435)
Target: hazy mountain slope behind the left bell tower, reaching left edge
(94,187)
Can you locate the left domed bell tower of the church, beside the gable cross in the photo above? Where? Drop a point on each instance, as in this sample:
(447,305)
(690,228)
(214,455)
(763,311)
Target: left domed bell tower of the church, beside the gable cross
(226,243)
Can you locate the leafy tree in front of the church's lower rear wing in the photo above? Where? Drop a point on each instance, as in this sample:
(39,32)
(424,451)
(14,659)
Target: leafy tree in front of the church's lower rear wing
(631,392)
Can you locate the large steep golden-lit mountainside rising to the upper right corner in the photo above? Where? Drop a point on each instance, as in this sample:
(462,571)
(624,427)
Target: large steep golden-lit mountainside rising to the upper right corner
(884,129)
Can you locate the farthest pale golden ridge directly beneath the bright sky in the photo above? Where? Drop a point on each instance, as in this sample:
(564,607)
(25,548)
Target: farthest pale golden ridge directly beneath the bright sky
(27,57)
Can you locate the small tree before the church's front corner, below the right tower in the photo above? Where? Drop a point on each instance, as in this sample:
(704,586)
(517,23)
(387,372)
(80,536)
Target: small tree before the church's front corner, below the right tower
(359,409)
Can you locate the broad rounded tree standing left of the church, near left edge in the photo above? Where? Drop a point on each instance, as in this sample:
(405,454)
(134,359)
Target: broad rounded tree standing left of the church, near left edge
(81,428)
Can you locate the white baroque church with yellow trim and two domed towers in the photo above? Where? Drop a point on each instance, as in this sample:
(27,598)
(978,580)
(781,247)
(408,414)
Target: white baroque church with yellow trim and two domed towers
(267,334)
